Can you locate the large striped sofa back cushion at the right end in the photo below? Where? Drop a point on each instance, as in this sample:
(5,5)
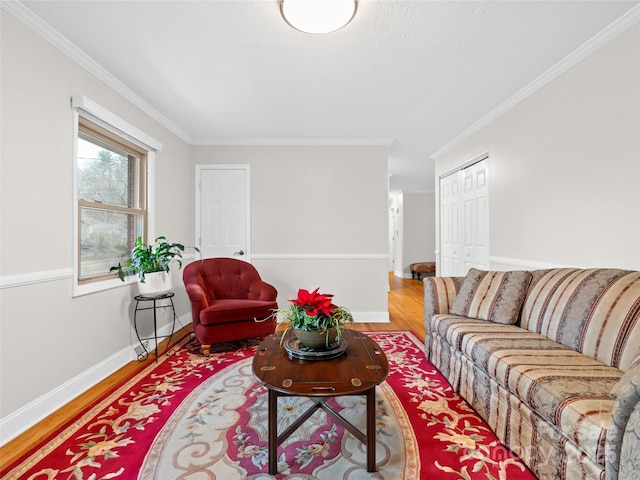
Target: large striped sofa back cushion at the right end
(593,311)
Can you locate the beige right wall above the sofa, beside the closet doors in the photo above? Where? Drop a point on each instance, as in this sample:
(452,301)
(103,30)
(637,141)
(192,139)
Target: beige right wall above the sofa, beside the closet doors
(564,166)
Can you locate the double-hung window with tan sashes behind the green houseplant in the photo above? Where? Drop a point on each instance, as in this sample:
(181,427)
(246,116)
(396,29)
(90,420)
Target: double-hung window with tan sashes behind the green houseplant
(112,199)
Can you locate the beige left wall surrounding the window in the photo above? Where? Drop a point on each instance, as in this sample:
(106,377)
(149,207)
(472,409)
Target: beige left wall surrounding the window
(48,338)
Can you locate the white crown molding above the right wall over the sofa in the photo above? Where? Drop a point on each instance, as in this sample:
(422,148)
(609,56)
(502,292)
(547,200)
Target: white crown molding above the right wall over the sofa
(605,36)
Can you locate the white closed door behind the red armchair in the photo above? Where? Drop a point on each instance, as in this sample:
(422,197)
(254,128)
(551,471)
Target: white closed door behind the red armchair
(222,204)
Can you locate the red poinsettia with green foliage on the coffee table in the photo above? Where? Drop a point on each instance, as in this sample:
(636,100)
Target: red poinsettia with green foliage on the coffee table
(315,311)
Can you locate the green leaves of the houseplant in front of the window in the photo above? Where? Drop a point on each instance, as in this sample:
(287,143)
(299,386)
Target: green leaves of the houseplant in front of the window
(149,258)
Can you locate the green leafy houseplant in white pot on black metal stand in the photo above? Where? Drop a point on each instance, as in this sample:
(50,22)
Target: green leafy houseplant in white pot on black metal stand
(151,264)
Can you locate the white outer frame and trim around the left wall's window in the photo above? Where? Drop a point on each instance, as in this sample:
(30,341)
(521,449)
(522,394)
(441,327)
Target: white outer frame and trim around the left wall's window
(86,108)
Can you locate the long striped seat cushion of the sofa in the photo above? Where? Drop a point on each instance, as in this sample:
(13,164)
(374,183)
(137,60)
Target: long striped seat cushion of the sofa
(565,387)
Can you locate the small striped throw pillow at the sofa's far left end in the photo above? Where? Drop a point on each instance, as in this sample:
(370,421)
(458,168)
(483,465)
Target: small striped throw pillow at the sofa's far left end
(493,296)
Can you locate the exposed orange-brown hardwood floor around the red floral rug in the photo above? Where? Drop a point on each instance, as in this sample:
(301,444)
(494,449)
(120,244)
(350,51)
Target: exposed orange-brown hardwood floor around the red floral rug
(405,313)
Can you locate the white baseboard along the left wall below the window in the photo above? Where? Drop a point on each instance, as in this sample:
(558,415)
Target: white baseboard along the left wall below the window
(26,417)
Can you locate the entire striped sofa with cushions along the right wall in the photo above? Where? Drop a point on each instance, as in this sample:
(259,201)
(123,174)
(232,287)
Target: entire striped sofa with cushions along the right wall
(550,359)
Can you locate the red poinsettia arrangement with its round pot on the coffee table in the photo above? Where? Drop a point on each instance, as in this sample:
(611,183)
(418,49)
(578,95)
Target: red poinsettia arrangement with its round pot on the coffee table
(315,320)
